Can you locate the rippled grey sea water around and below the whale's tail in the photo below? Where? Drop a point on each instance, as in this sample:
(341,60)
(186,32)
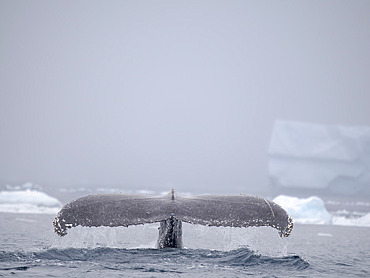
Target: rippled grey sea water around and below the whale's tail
(29,248)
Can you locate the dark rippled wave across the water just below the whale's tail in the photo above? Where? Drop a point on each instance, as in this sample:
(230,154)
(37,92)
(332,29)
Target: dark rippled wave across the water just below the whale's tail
(146,260)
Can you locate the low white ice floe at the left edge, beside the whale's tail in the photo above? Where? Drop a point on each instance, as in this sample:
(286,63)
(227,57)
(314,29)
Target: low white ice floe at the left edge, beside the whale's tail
(28,201)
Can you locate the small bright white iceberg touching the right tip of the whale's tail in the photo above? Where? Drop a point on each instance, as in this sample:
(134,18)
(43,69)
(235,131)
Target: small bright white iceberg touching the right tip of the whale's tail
(305,211)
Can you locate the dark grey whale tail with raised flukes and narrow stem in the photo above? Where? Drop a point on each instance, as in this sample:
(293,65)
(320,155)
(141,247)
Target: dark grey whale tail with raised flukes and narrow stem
(170,210)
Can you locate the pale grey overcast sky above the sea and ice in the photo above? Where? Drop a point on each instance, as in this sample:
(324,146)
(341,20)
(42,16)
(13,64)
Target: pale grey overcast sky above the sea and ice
(153,94)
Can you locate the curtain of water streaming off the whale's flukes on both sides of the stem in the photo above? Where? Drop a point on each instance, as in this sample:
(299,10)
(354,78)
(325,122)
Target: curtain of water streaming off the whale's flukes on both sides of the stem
(262,240)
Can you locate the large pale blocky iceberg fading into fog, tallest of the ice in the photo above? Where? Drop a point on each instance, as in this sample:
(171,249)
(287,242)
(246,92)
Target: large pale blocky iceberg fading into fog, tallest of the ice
(304,155)
